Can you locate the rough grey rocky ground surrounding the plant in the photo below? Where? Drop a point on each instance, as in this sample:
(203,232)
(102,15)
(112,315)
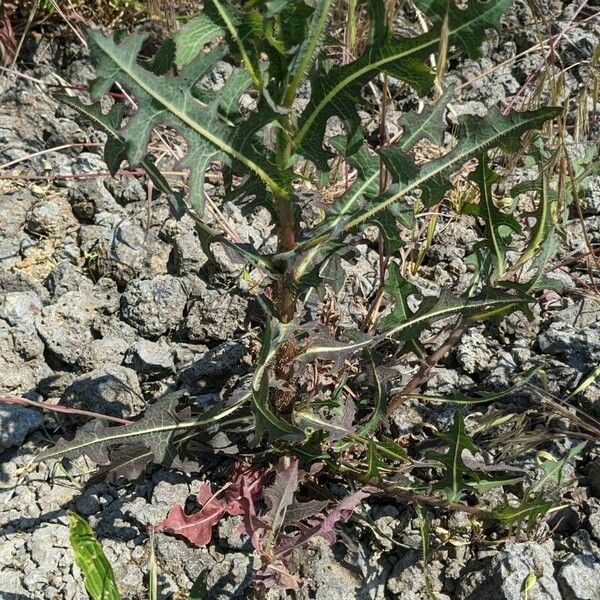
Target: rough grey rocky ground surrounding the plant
(107,302)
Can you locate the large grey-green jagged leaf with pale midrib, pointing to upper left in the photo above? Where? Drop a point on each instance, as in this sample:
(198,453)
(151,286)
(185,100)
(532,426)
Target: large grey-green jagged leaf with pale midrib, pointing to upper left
(169,100)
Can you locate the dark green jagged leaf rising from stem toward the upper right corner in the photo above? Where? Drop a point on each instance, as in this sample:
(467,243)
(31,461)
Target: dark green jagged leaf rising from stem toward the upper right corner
(334,93)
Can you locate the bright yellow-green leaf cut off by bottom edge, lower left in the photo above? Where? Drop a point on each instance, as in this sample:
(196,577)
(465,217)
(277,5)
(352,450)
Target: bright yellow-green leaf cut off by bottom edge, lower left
(99,577)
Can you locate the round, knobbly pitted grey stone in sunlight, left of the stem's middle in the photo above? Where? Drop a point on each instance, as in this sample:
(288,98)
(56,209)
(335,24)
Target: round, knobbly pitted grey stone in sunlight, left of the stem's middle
(154,306)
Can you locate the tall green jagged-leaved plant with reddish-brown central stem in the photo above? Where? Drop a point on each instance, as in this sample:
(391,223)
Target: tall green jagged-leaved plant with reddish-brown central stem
(268,131)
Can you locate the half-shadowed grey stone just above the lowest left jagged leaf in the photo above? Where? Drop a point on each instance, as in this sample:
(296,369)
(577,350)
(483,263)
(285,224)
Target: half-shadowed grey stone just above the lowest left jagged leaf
(112,390)
